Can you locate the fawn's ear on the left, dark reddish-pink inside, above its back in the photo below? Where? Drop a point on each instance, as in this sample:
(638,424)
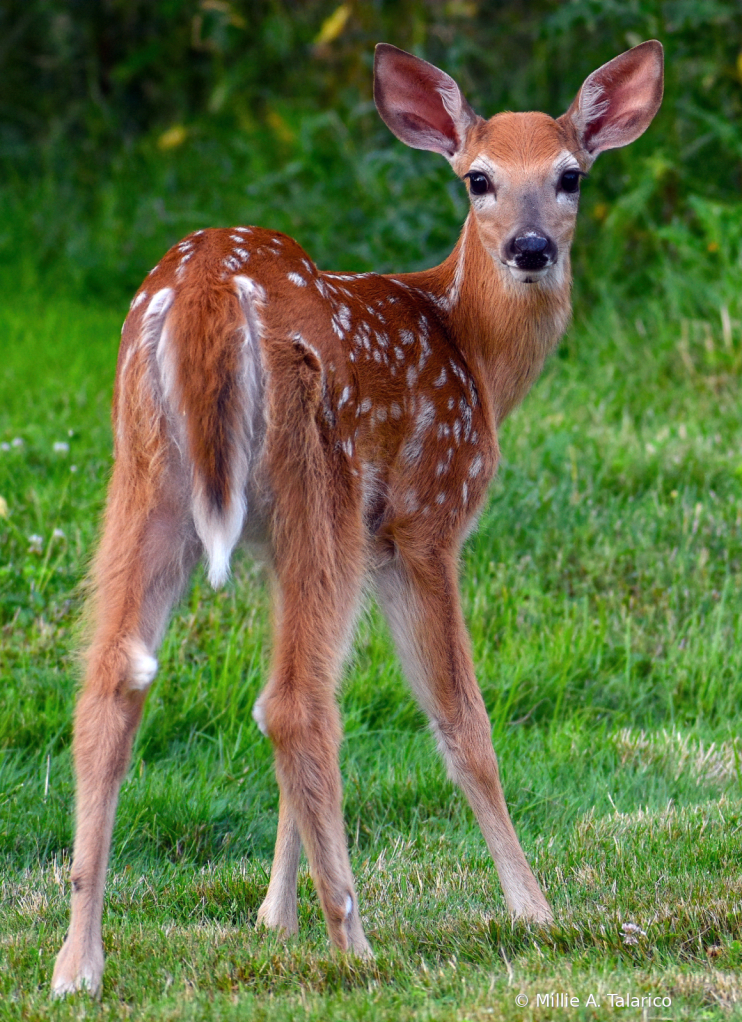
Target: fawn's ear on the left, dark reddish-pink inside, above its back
(421,105)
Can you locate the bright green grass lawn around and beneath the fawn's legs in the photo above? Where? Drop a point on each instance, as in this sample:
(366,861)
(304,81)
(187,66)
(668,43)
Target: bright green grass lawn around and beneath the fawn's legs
(604,592)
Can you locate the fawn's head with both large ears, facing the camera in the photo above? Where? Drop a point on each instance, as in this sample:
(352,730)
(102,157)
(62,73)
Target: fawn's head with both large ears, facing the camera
(523,170)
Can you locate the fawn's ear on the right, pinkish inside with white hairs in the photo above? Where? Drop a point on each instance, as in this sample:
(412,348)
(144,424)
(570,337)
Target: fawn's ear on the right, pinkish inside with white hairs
(618,102)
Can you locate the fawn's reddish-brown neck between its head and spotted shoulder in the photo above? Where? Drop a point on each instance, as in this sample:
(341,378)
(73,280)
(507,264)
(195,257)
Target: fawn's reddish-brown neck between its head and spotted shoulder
(504,330)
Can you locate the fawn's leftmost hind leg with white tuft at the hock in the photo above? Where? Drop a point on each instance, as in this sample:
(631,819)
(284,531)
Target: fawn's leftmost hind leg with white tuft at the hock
(147,553)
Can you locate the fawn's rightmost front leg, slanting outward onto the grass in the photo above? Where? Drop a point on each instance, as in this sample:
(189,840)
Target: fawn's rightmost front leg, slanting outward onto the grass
(423,607)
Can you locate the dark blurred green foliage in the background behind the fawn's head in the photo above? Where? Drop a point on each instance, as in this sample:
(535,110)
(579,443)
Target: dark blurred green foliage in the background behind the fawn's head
(125,124)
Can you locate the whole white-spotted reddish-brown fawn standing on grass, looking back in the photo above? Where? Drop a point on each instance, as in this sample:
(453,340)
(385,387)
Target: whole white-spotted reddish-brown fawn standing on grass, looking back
(347,423)
